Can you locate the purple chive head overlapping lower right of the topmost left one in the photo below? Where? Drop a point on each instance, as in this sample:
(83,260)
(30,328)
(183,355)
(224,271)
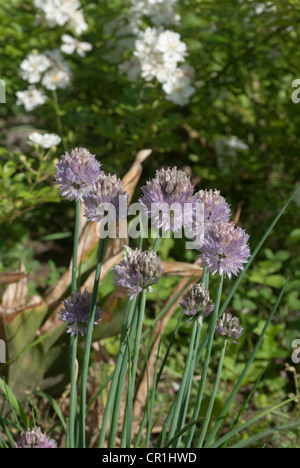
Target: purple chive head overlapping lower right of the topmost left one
(107,190)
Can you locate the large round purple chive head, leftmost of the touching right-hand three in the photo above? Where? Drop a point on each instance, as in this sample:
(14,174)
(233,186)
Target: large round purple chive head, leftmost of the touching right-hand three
(169,187)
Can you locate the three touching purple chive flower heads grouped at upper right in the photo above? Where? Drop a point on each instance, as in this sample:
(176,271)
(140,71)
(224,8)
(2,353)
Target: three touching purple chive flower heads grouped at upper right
(225,247)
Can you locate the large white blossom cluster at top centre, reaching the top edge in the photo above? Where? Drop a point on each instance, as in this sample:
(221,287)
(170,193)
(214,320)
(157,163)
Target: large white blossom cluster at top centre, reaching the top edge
(160,53)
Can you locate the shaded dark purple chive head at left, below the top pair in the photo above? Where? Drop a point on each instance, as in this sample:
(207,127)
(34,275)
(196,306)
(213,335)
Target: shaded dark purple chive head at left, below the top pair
(76,312)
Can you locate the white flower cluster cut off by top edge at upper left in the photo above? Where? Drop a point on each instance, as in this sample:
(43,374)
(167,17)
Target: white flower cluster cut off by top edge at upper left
(62,13)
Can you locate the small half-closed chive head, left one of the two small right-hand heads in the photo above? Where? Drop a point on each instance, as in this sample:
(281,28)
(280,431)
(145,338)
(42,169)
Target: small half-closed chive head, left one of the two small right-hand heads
(196,303)
